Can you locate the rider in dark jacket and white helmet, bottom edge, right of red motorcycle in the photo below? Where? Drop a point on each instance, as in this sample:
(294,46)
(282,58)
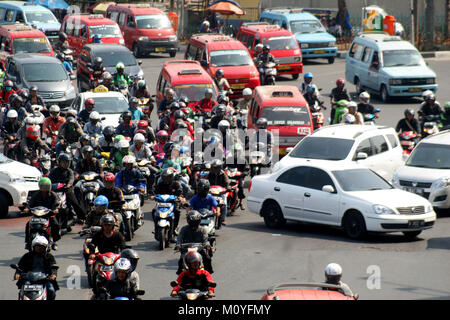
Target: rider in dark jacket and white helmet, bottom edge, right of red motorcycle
(121,285)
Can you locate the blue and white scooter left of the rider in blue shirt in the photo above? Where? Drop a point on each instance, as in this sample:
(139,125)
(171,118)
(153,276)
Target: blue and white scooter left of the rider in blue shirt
(164,218)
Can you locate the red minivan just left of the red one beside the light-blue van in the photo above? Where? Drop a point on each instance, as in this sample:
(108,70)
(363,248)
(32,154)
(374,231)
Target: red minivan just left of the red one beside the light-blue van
(215,51)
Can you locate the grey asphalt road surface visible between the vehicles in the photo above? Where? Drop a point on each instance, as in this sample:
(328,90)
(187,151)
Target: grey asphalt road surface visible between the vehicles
(250,257)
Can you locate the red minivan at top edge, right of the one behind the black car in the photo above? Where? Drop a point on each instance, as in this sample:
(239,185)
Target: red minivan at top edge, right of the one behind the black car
(145,29)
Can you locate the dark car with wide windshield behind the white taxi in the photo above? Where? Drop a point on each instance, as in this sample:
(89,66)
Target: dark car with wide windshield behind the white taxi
(111,54)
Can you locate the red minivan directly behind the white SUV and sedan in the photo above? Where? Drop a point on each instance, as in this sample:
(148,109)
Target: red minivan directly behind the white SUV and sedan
(285,110)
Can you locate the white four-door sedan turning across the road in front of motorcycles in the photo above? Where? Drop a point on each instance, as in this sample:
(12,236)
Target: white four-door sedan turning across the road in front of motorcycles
(347,196)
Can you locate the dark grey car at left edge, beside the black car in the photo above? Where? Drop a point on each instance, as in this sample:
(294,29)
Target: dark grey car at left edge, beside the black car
(45,72)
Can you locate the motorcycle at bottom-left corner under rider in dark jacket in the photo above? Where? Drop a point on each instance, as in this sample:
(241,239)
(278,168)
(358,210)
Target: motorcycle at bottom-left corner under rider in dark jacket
(32,284)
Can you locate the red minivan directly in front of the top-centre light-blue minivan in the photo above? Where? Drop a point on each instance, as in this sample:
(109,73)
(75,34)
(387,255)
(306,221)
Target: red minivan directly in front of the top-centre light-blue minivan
(283,45)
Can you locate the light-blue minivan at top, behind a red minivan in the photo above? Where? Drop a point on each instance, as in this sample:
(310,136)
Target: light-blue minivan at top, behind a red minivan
(312,37)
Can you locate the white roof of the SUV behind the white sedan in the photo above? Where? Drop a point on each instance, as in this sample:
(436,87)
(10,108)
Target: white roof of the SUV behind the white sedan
(345,131)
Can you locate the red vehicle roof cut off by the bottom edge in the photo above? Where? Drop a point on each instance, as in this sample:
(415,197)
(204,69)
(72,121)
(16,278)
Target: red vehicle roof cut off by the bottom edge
(308,291)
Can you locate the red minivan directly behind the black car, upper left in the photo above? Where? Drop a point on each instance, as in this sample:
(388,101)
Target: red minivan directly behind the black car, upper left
(81,28)
